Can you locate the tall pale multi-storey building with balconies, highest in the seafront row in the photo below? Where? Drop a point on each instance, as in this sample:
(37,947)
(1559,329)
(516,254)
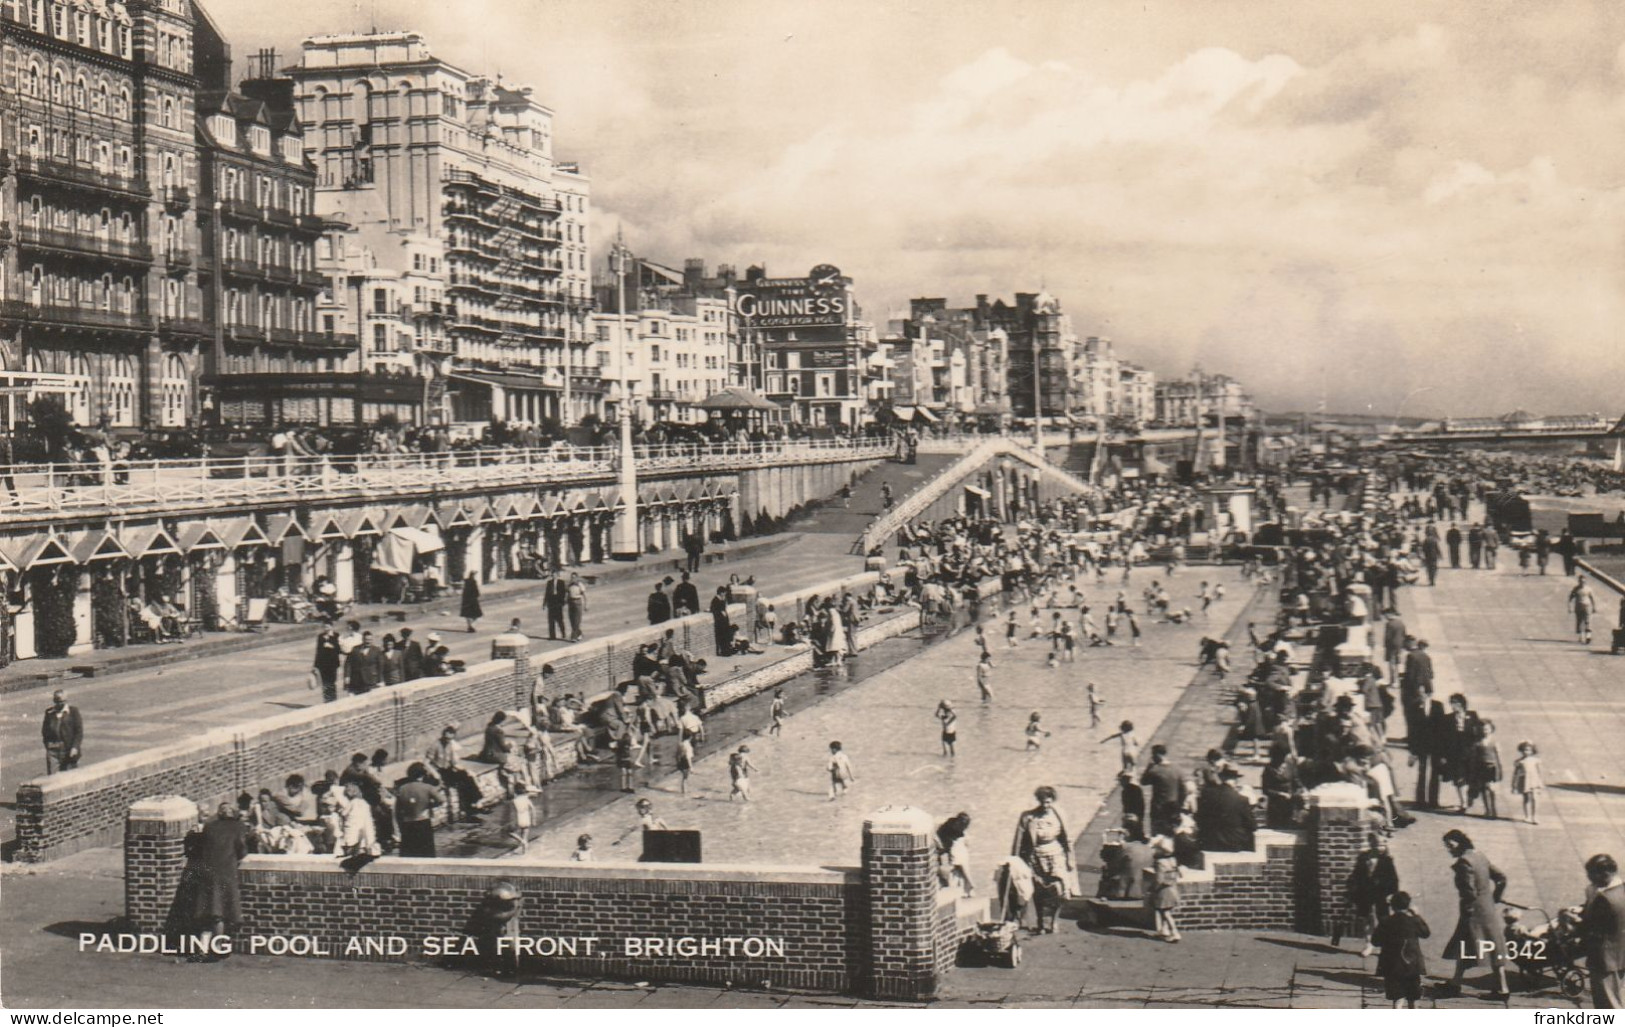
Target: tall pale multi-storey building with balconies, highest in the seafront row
(412,149)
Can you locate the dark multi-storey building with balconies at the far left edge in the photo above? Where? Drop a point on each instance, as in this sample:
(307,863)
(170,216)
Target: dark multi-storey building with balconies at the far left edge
(97,222)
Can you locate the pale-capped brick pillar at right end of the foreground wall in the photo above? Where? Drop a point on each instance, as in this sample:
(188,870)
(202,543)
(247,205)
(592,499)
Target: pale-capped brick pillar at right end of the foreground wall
(899,878)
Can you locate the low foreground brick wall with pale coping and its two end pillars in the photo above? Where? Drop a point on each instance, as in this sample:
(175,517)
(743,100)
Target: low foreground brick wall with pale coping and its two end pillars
(878,929)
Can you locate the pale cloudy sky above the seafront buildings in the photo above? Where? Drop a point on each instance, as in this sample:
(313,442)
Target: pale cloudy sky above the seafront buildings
(1385,204)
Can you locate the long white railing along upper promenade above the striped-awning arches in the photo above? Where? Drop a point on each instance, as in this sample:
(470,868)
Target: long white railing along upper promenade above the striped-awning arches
(206,483)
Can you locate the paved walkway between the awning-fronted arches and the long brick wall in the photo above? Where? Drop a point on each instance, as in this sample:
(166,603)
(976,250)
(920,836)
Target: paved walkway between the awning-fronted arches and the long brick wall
(142,709)
